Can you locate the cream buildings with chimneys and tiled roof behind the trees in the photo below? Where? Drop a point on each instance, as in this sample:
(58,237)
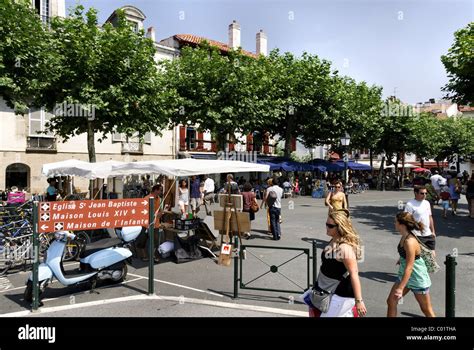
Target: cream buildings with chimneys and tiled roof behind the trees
(24,147)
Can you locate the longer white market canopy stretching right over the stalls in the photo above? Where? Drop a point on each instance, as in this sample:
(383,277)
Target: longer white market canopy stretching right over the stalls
(187,167)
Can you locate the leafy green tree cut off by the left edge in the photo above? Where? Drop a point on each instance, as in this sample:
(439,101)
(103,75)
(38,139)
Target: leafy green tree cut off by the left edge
(28,62)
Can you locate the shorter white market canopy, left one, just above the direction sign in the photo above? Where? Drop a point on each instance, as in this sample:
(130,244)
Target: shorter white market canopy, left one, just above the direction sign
(75,167)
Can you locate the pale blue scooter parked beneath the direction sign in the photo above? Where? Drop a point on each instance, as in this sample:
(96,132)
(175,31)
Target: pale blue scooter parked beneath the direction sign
(101,260)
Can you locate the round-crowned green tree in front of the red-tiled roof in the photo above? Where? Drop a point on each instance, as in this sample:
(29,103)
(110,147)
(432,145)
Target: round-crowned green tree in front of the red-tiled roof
(217,92)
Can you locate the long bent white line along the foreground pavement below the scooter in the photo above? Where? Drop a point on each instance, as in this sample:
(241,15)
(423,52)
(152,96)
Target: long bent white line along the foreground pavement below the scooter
(227,305)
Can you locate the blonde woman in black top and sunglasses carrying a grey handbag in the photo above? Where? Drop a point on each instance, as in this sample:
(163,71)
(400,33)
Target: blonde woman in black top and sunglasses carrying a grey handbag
(339,274)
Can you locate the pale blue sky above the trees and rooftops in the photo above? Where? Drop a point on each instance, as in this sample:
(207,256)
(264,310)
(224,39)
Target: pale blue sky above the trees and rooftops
(395,44)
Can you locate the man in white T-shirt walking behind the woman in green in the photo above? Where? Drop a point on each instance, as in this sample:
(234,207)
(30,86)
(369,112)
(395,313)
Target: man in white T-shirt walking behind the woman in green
(421,210)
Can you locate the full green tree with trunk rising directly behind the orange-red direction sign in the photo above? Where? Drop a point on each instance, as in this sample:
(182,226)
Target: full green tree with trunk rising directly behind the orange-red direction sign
(111,73)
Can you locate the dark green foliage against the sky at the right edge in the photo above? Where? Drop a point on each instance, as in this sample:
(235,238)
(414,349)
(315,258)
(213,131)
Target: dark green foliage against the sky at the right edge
(459,63)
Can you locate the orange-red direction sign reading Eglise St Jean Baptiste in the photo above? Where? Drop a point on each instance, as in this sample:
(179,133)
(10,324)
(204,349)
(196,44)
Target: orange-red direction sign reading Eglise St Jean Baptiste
(92,214)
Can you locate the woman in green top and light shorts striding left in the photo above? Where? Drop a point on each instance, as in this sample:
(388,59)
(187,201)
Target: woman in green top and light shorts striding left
(413,273)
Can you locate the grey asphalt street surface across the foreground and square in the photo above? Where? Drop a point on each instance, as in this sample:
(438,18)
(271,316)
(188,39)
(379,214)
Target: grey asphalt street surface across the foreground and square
(203,288)
